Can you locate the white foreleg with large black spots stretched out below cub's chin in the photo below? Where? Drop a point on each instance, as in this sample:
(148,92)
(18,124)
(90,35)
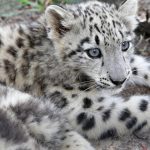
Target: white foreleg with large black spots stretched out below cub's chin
(99,118)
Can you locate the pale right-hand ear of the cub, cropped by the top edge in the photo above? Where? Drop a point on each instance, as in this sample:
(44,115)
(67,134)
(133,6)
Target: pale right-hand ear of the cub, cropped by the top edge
(128,11)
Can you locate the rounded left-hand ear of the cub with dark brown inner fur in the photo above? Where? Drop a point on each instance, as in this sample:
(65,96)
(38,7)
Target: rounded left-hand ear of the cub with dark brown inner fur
(58,19)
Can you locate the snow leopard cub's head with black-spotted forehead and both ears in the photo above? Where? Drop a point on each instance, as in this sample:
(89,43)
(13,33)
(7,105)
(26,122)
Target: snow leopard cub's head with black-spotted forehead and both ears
(94,38)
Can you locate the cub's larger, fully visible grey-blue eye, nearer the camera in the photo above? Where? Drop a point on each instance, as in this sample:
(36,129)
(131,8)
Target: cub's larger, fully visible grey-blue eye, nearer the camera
(94,53)
